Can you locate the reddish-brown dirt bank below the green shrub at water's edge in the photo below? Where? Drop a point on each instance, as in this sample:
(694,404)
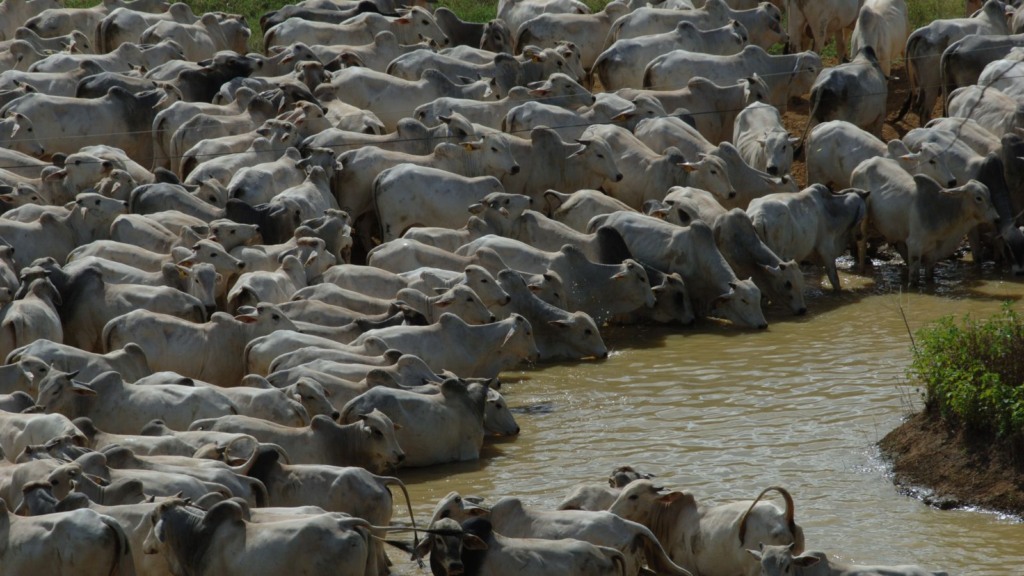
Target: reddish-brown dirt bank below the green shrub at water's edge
(949,469)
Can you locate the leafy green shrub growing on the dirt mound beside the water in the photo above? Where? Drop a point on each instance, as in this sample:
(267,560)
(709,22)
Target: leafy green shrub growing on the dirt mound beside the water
(973,373)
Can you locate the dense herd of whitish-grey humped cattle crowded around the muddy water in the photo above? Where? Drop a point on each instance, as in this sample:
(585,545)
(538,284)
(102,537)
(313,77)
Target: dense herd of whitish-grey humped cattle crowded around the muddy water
(237,289)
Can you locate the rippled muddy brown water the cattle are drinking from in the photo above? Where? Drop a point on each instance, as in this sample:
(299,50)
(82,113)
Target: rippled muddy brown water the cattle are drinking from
(724,414)
